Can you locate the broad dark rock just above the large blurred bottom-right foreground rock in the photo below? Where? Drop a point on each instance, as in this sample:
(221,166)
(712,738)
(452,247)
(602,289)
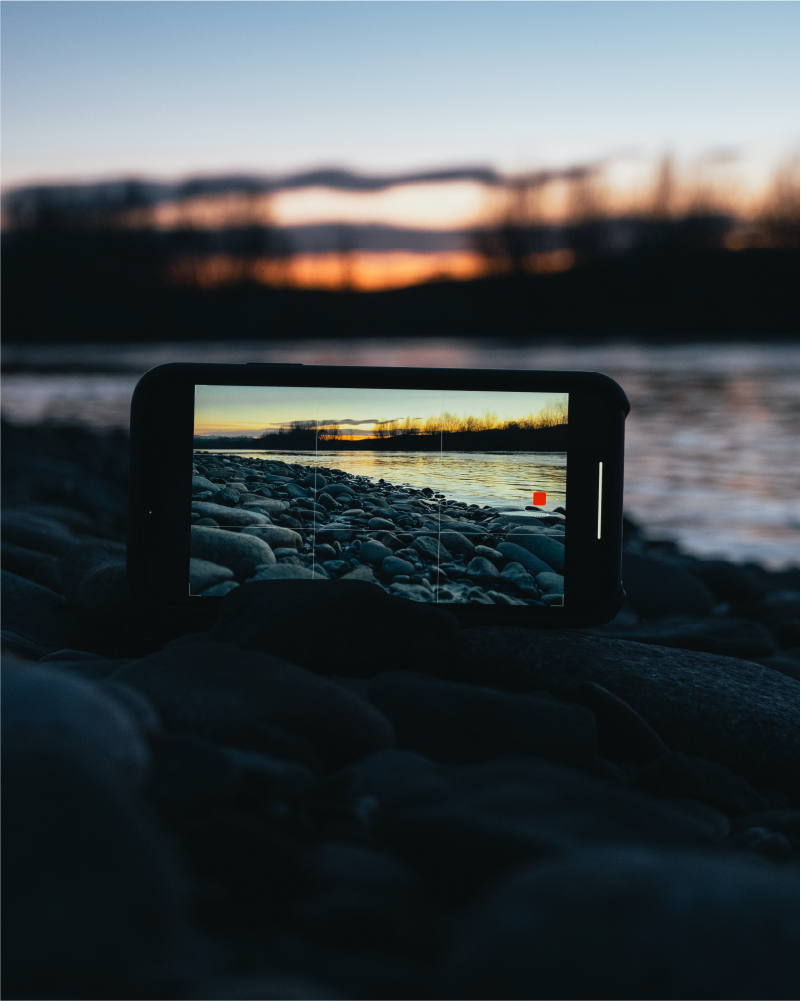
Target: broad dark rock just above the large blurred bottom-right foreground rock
(462,828)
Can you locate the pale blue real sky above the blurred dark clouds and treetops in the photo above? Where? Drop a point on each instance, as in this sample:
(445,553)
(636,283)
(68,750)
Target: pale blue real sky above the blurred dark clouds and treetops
(94,89)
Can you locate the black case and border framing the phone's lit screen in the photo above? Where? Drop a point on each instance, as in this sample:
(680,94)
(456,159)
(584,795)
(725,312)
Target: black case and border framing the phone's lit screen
(162,461)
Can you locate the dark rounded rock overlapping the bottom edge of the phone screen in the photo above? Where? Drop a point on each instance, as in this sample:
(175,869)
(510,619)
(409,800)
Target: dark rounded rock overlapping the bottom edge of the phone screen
(360,630)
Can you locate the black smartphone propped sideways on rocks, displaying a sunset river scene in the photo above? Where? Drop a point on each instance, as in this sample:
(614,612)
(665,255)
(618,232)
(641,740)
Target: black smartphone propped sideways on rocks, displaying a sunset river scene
(497,495)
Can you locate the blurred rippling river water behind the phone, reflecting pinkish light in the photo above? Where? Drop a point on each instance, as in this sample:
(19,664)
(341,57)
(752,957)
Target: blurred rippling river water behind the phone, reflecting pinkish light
(711,443)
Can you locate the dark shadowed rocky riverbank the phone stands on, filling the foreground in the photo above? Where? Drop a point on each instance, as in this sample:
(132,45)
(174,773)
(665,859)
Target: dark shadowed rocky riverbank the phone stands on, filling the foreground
(328,794)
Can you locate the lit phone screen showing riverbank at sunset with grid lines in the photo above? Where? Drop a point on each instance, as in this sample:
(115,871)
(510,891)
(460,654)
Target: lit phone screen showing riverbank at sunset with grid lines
(435,496)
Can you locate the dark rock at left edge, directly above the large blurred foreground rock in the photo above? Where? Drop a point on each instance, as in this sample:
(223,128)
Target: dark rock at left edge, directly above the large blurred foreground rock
(38,621)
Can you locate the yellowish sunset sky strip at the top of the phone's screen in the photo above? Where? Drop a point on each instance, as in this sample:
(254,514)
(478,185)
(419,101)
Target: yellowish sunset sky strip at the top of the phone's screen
(225,410)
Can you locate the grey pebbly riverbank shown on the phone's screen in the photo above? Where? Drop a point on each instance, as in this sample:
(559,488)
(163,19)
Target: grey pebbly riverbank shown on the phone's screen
(314,522)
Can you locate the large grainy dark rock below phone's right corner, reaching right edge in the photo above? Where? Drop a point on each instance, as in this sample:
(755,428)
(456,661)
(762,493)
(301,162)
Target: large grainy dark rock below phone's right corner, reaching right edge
(718,708)
